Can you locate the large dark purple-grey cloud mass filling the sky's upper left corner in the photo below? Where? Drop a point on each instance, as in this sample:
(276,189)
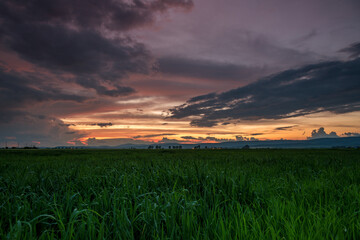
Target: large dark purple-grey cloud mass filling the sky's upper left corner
(83,38)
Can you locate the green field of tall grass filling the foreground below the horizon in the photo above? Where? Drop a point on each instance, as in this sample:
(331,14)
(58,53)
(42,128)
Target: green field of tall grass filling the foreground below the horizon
(180,194)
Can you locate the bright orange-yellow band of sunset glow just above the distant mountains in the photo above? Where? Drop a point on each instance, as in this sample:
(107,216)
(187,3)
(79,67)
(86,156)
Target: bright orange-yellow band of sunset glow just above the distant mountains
(137,129)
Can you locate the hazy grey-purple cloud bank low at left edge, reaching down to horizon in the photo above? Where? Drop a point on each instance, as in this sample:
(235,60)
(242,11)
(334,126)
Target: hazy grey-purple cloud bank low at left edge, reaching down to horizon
(18,93)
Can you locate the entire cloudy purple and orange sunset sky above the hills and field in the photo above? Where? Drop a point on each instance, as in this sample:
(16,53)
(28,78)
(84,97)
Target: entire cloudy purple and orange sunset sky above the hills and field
(112,72)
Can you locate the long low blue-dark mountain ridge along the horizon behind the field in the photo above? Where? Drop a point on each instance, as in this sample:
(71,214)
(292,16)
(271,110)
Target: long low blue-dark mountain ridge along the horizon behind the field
(342,142)
